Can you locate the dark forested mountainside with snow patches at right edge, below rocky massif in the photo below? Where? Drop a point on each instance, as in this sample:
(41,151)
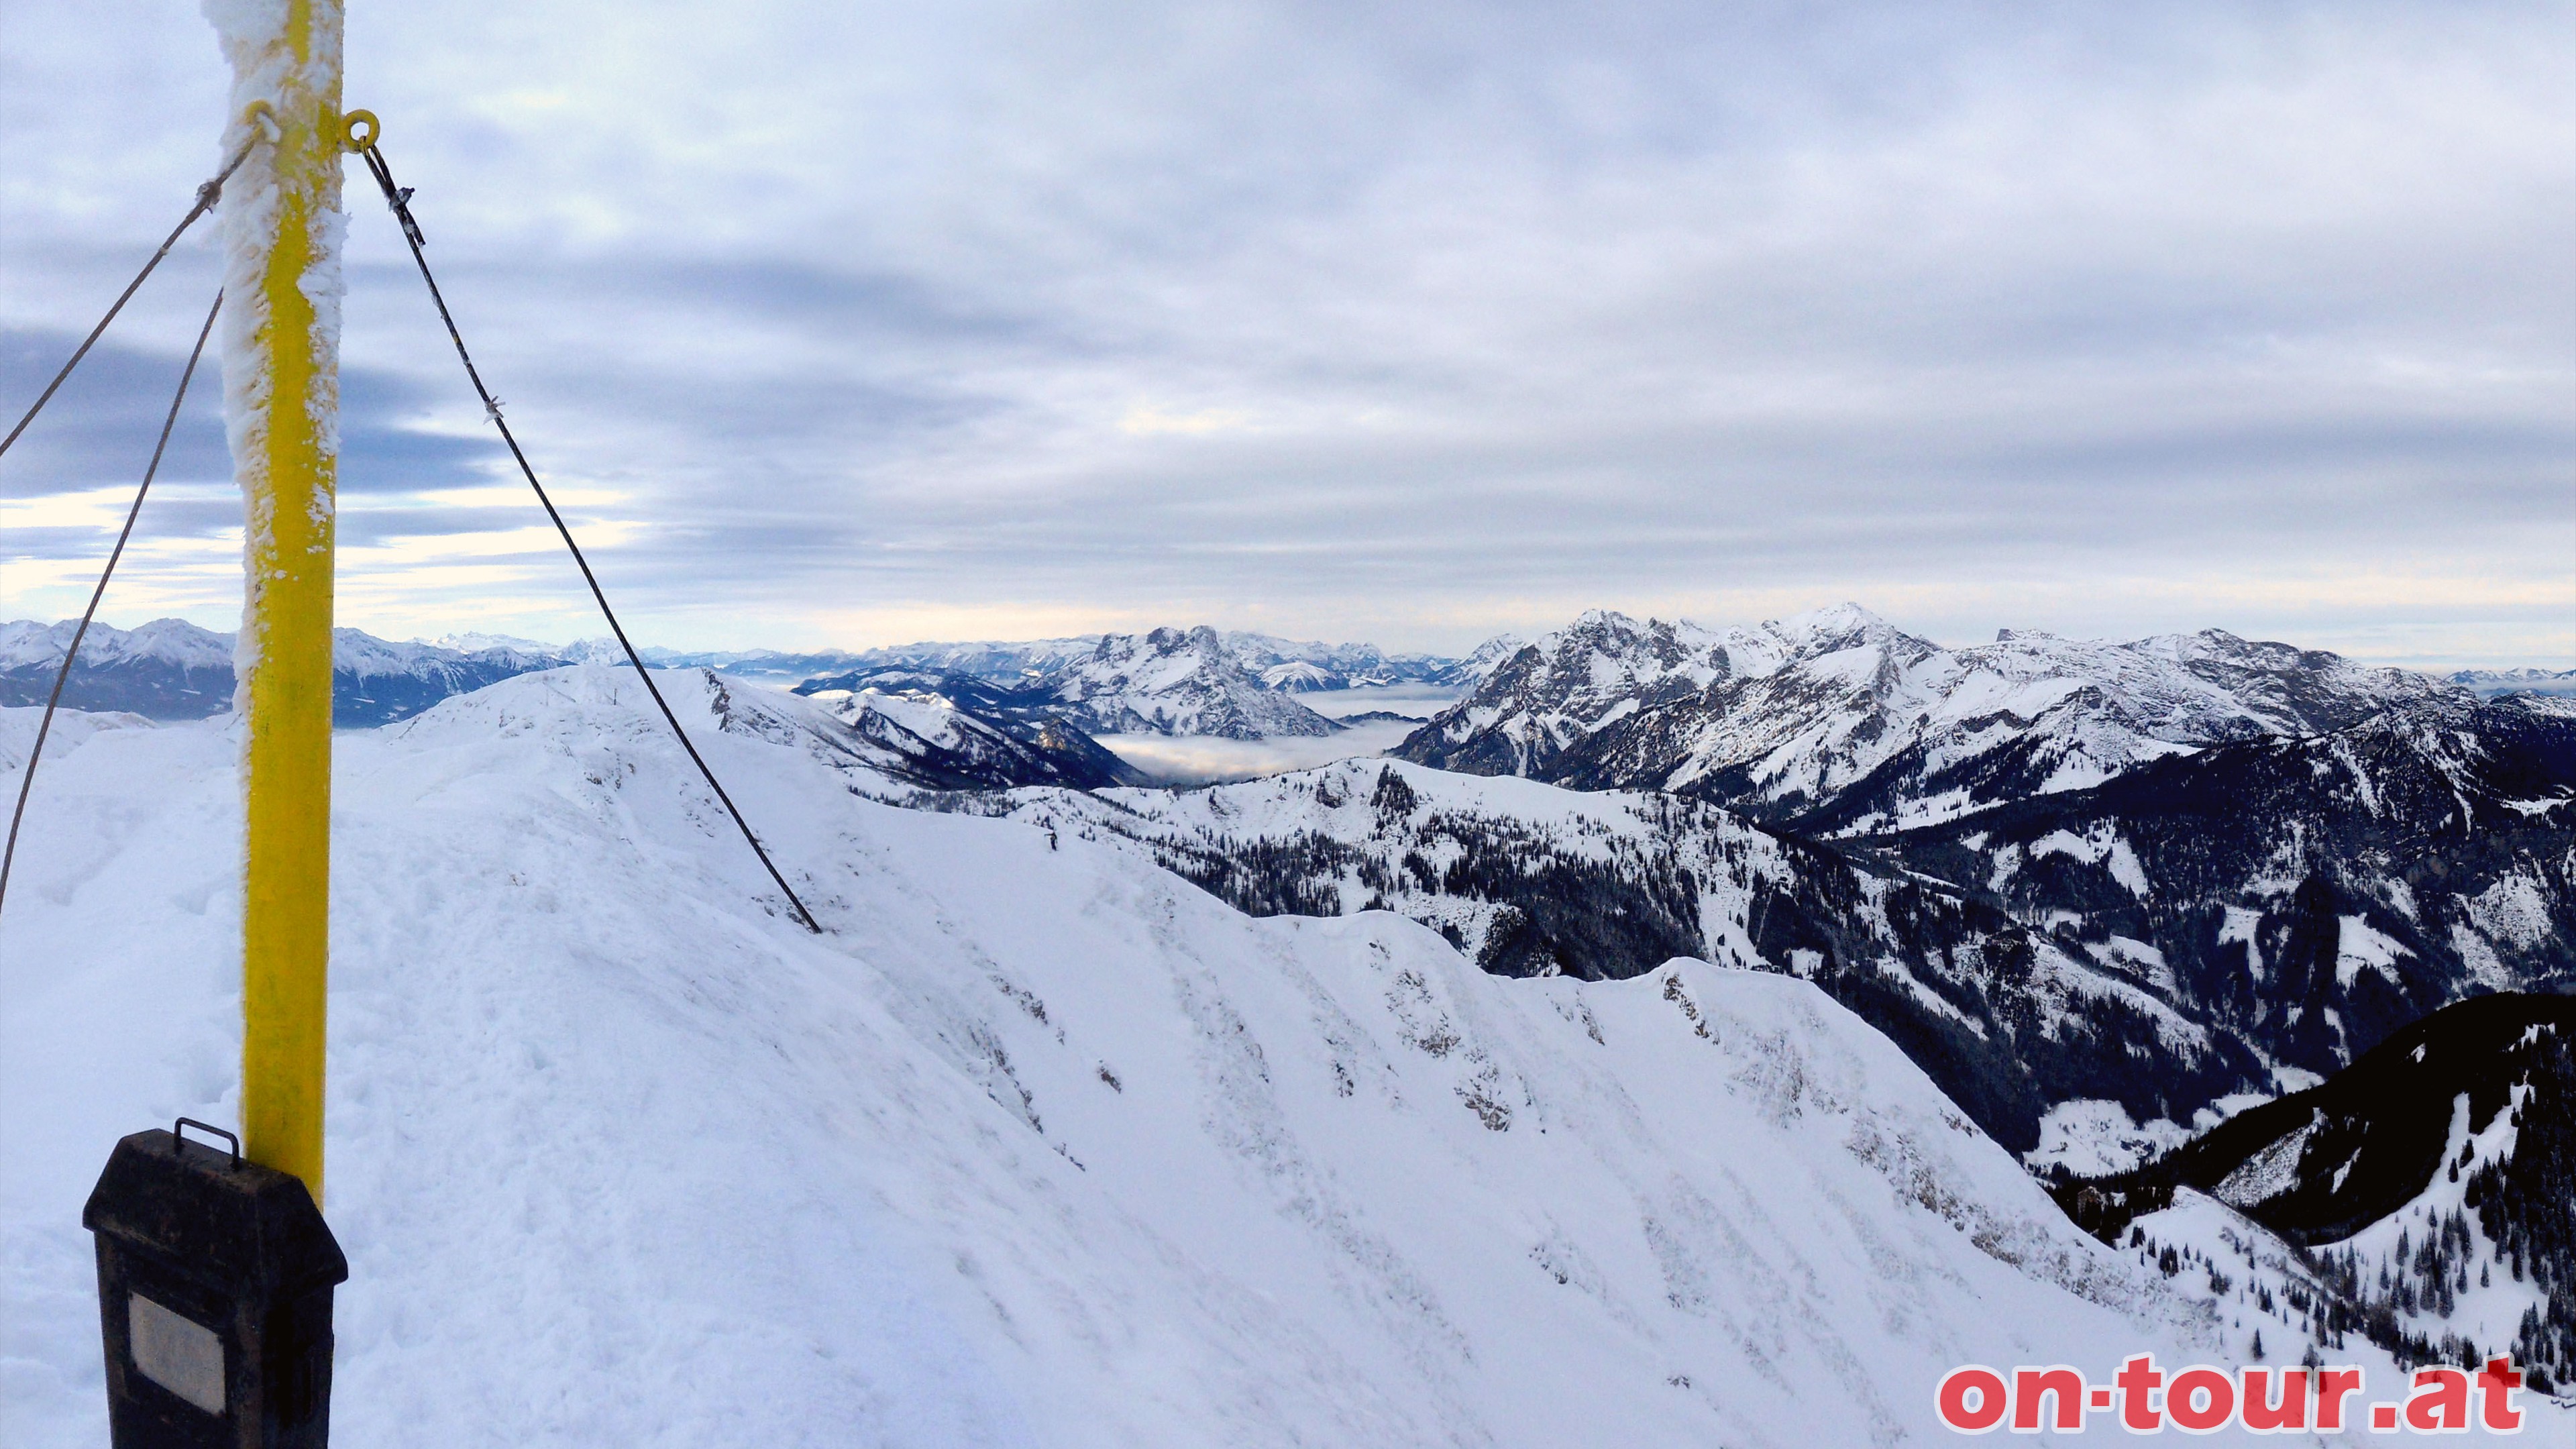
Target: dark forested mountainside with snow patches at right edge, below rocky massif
(2312,896)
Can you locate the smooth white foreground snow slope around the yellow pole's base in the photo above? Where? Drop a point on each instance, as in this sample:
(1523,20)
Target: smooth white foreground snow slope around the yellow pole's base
(1037,1146)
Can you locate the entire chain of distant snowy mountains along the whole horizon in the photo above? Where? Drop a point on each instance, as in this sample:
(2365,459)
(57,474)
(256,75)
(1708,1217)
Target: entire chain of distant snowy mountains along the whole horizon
(1833,721)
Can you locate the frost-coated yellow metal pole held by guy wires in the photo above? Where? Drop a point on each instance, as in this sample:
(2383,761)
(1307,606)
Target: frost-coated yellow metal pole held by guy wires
(282,401)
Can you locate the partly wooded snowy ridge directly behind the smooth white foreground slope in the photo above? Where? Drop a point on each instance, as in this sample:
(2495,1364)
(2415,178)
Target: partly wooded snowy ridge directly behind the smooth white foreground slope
(1534,880)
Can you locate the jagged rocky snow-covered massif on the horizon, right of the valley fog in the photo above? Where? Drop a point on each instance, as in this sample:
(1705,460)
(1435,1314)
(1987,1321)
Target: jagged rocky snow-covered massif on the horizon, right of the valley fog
(1846,723)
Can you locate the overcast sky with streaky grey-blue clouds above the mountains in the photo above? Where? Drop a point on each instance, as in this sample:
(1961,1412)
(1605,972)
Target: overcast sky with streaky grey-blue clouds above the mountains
(849,324)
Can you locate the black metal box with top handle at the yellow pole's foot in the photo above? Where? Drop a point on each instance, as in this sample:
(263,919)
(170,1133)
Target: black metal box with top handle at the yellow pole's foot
(215,1283)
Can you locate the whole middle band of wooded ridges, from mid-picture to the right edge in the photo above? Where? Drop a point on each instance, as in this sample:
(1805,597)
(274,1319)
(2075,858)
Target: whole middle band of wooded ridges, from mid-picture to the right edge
(2163,942)
